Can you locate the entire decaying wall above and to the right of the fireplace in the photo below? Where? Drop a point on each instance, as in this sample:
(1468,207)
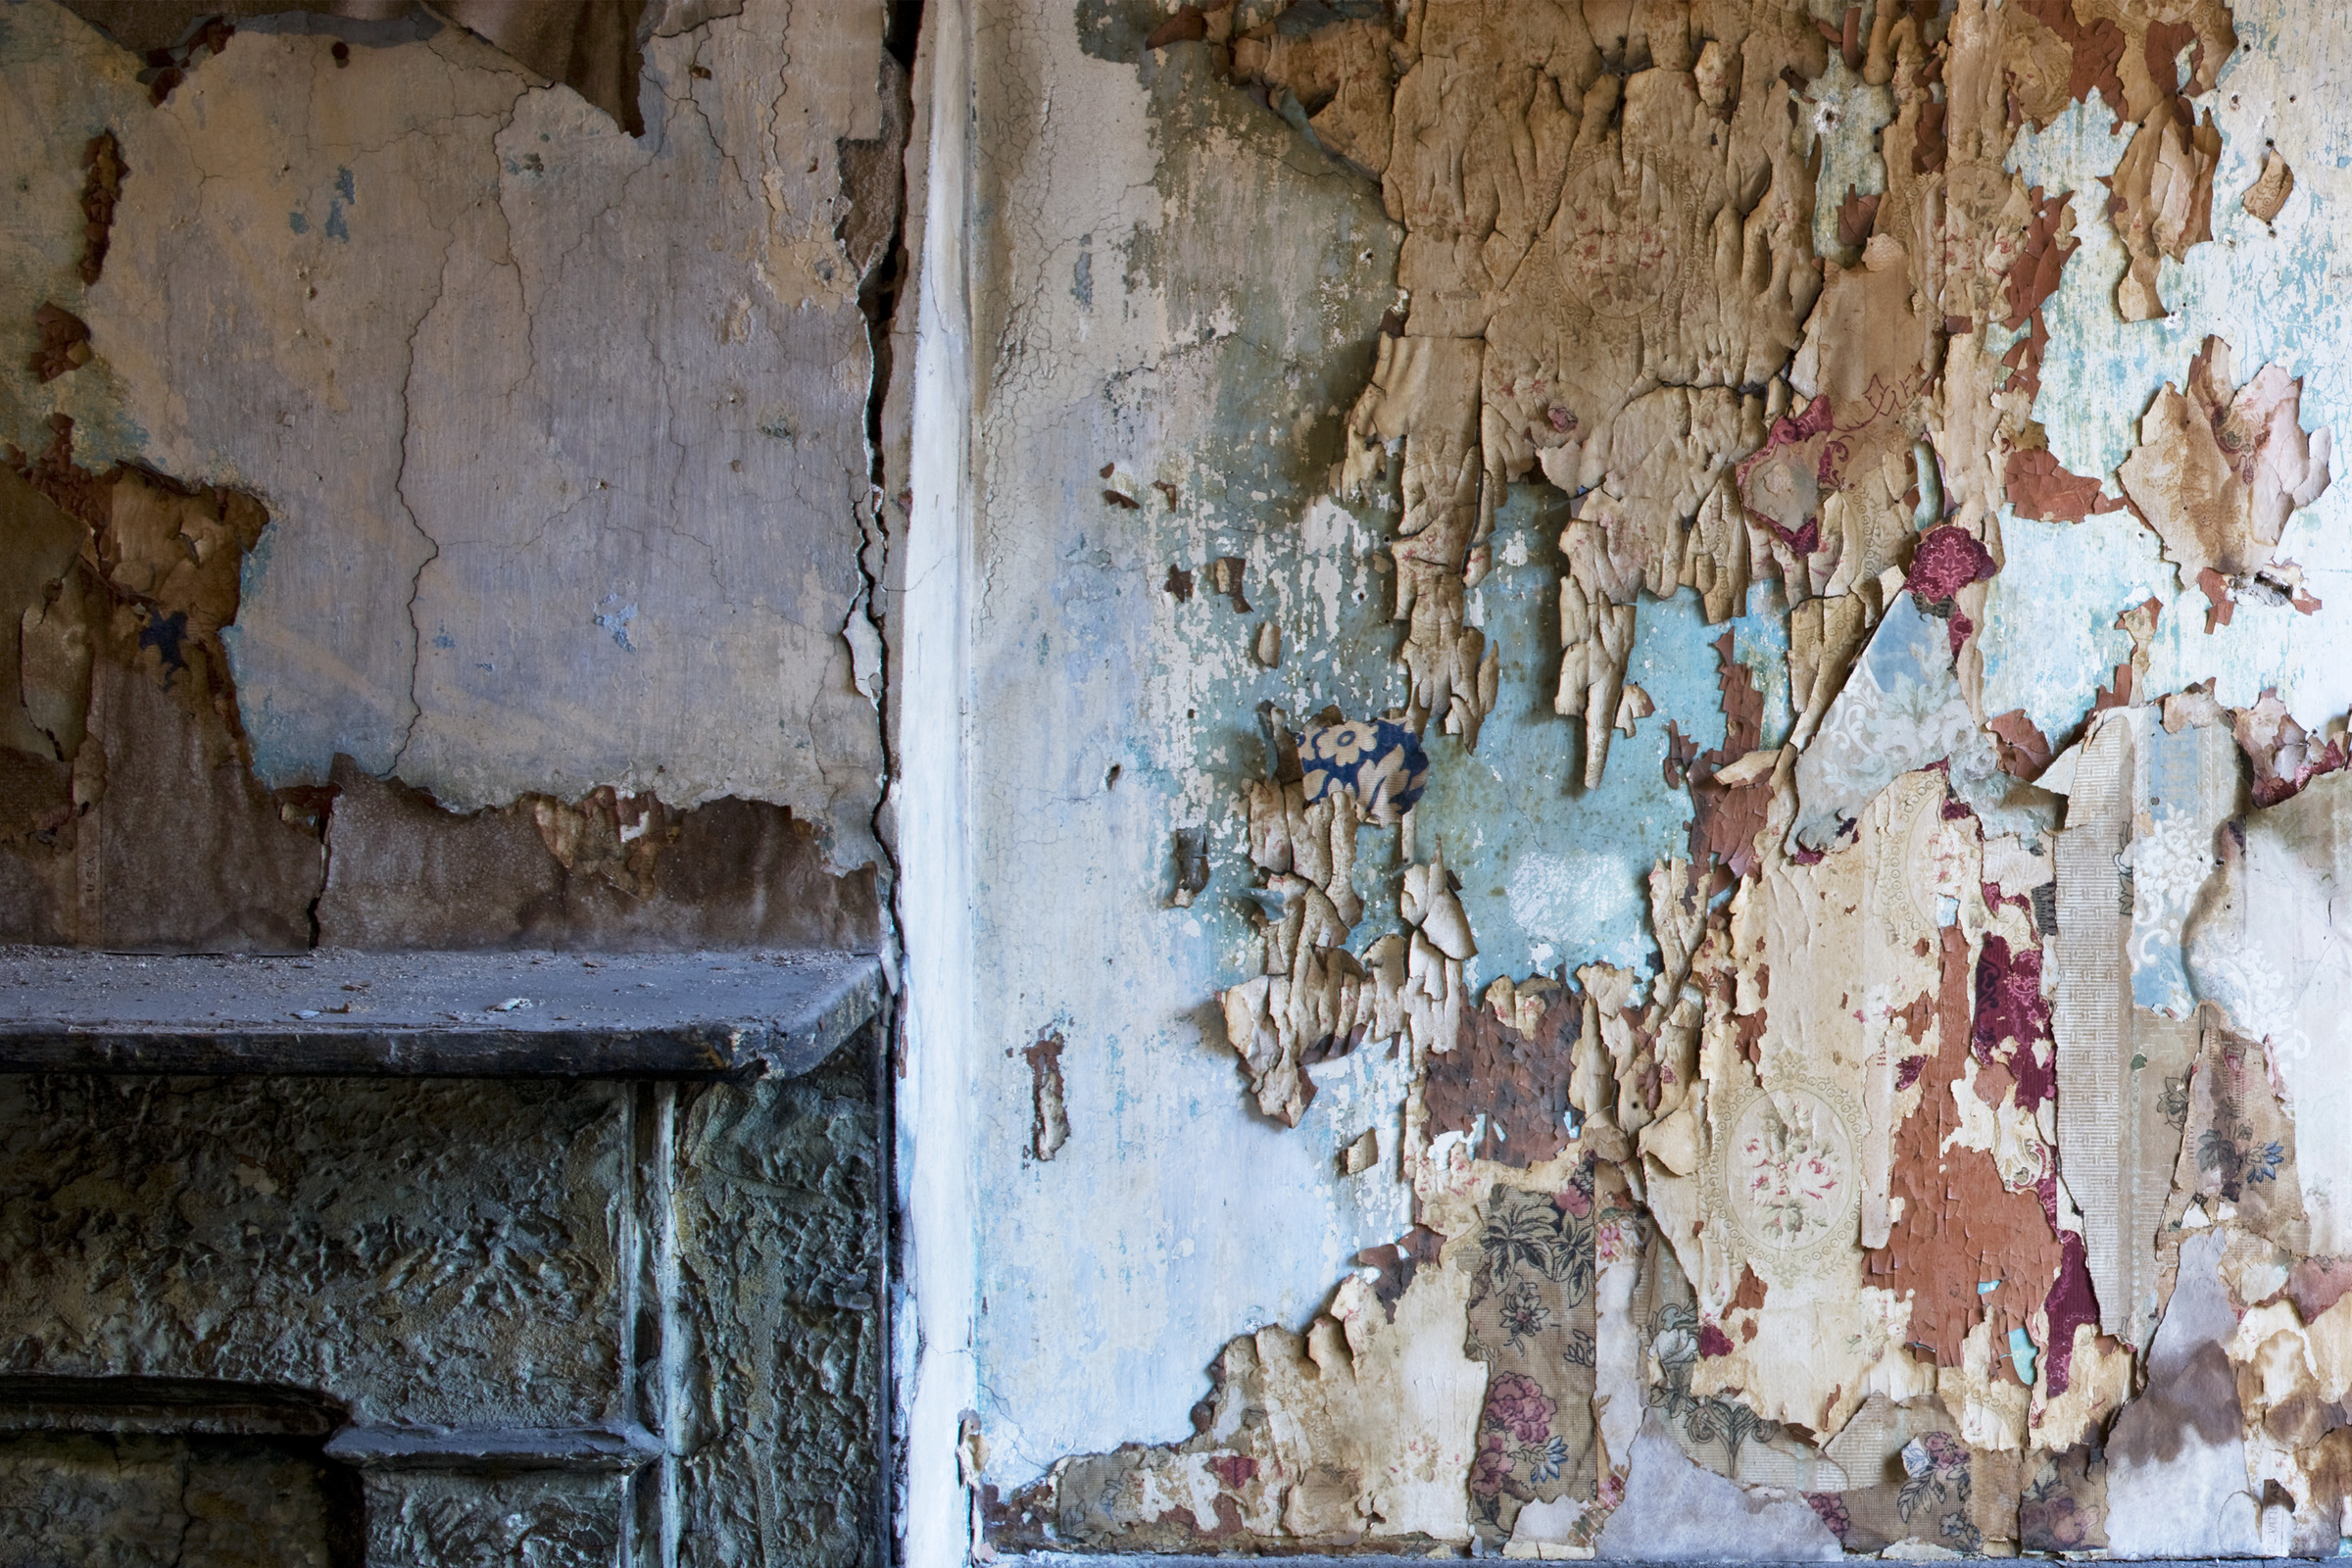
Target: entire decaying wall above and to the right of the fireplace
(1619,723)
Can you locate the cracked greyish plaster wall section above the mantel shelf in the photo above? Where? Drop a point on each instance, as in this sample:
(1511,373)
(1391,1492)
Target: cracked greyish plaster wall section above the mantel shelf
(561,448)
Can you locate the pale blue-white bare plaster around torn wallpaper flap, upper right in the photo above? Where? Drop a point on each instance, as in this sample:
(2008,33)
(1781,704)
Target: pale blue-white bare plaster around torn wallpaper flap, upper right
(2273,293)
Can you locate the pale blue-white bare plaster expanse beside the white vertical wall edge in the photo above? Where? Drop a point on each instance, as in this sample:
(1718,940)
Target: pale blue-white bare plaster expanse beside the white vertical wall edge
(1111,713)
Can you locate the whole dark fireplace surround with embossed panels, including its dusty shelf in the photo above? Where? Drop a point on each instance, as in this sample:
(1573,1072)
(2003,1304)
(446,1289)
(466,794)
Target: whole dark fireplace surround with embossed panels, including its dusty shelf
(483,1257)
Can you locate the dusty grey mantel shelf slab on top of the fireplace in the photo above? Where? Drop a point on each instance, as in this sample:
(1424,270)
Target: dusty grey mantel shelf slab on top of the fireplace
(434,1014)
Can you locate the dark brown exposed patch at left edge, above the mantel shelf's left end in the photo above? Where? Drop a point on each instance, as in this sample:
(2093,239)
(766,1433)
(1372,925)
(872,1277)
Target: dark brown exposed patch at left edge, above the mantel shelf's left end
(121,702)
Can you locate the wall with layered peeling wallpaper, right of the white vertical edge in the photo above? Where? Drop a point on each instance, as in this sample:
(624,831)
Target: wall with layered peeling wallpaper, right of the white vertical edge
(1657,709)
